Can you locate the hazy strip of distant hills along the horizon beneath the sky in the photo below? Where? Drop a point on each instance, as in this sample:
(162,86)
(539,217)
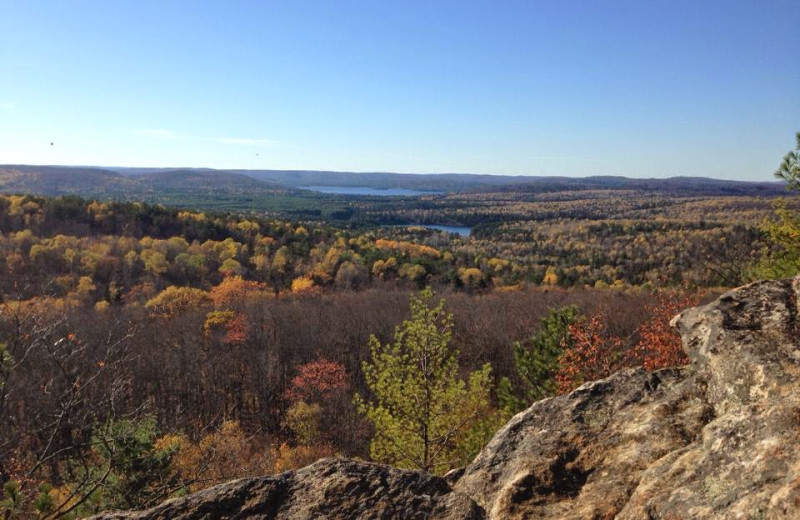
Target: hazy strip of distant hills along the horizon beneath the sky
(271,189)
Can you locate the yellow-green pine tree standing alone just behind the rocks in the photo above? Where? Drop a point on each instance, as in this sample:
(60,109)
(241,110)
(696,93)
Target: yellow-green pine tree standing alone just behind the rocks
(424,415)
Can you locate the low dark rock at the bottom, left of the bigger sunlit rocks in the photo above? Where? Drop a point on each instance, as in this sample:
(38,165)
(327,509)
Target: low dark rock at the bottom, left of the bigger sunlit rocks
(330,488)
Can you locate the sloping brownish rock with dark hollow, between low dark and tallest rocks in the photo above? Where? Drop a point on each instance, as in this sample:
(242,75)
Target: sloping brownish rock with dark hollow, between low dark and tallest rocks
(581,455)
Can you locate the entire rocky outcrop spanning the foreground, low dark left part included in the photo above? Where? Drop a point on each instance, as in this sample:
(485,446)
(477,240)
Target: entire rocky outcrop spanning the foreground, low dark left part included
(717,439)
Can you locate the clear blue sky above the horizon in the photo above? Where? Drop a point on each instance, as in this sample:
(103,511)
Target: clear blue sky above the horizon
(614,87)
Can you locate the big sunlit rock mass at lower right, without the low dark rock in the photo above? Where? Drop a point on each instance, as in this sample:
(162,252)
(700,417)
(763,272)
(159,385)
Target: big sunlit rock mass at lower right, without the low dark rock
(717,439)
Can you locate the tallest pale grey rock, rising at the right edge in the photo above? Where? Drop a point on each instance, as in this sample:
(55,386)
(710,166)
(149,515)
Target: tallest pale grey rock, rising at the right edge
(745,349)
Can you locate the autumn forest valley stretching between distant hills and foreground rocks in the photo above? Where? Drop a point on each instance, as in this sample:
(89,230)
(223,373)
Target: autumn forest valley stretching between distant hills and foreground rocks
(148,351)
